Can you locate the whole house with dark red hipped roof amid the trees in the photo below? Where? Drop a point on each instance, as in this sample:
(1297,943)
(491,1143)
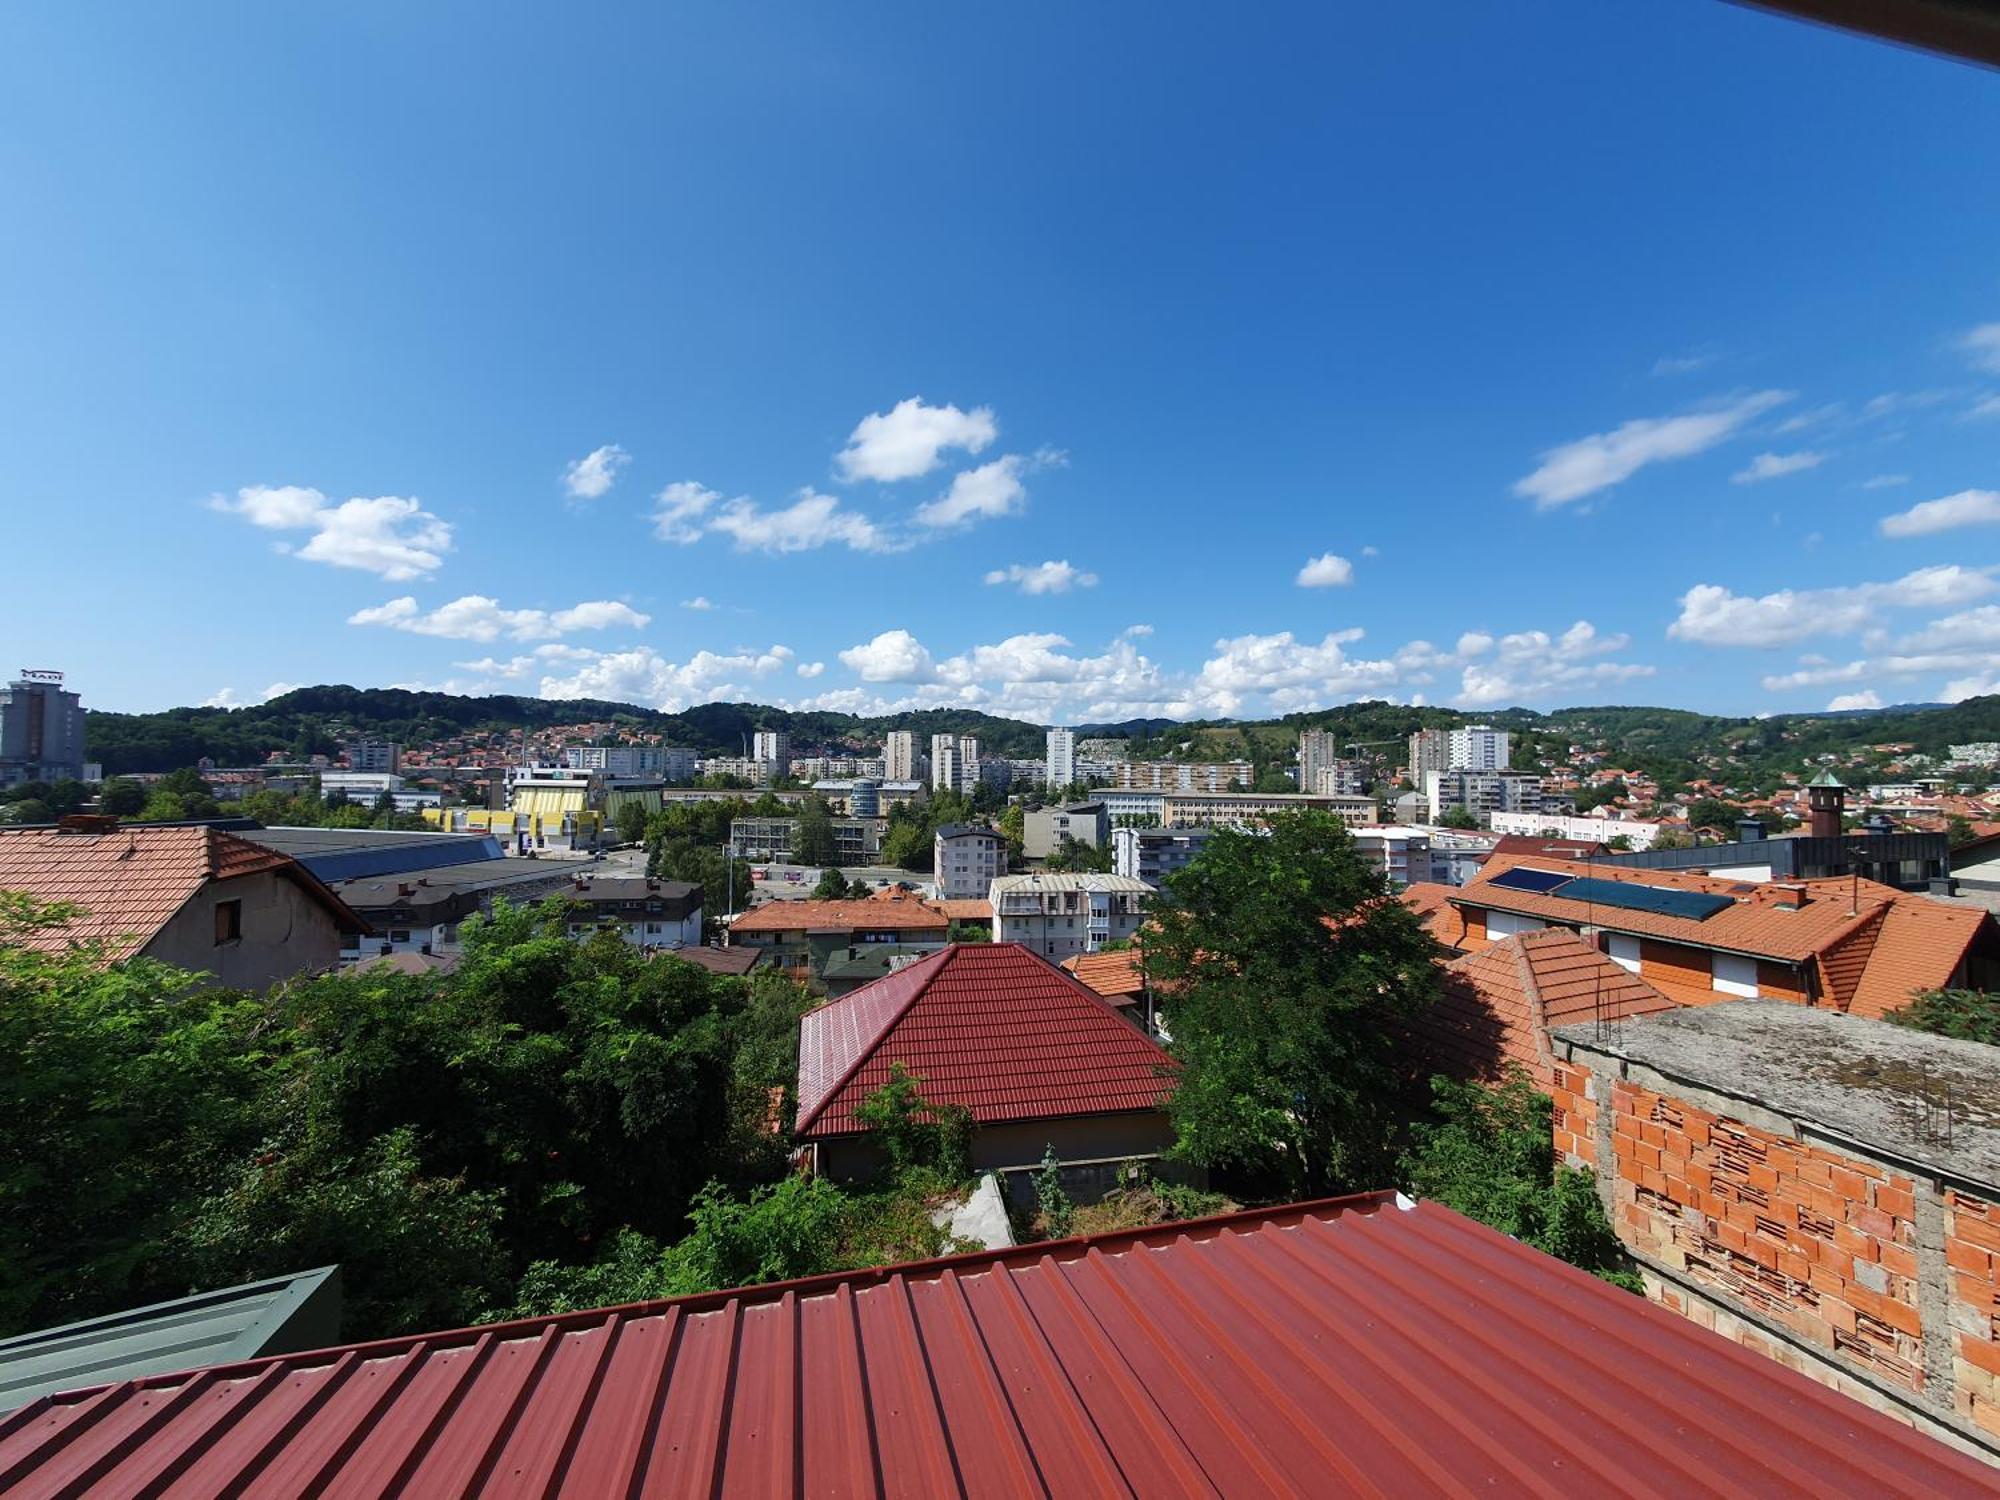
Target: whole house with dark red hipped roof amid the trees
(1041,1061)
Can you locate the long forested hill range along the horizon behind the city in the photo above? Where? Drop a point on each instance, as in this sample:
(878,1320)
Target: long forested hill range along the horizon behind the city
(1661,741)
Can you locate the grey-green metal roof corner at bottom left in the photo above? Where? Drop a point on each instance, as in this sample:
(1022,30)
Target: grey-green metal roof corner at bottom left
(235,1323)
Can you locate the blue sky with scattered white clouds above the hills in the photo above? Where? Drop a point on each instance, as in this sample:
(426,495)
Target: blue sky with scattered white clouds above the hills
(1059,361)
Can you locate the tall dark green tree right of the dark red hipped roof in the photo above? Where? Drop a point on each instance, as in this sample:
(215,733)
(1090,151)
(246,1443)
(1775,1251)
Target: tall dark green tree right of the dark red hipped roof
(1293,975)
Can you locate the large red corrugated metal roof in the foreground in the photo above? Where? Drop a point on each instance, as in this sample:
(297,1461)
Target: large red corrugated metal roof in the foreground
(1349,1347)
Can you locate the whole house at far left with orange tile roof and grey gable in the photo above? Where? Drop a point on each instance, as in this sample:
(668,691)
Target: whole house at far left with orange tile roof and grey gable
(187,895)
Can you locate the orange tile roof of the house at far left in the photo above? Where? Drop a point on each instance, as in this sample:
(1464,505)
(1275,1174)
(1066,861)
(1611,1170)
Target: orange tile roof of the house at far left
(135,877)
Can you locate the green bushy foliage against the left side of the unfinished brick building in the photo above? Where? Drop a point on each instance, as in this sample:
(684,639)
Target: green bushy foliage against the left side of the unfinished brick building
(1491,1155)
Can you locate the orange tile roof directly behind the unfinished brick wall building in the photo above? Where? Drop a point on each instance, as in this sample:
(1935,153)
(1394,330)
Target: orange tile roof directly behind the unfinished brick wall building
(1501,1003)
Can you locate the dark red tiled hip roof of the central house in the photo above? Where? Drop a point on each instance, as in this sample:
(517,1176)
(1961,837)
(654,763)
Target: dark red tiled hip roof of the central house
(985,1025)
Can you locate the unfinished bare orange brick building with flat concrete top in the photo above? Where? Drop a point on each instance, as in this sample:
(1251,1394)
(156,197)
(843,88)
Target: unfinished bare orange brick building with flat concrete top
(1823,1189)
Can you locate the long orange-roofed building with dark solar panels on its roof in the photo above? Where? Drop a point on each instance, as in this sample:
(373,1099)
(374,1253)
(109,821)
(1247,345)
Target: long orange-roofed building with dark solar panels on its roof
(1841,945)
